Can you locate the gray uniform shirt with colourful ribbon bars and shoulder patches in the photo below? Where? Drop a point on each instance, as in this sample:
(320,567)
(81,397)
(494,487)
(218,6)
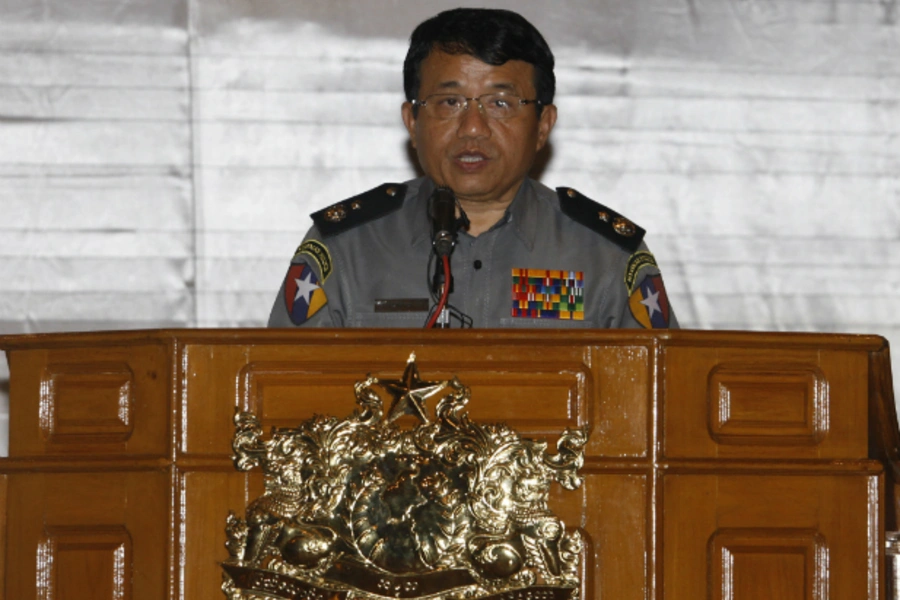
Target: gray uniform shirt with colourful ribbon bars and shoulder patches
(387,259)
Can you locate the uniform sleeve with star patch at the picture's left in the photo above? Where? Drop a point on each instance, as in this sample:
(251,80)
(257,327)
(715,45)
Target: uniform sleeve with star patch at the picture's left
(306,297)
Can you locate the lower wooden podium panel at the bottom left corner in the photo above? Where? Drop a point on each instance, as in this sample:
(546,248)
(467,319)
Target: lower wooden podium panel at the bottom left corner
(88,535)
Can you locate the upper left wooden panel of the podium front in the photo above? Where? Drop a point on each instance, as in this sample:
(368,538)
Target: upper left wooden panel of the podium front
(90,400)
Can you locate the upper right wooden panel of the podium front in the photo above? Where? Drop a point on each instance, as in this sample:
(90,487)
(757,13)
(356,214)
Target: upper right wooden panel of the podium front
(731,402)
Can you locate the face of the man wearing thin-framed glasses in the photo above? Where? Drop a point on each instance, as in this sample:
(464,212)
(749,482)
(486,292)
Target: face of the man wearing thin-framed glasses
(480,159)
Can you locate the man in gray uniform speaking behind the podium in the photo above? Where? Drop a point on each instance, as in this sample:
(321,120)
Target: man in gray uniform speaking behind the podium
(479,85)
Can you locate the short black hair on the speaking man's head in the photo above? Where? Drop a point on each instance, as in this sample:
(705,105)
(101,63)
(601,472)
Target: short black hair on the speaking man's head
(493,36)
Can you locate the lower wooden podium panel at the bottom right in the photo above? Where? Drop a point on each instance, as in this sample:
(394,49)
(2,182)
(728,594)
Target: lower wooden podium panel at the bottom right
(779,527)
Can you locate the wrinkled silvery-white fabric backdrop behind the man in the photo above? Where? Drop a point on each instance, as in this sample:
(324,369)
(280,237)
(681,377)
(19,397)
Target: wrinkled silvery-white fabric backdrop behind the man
(159,158)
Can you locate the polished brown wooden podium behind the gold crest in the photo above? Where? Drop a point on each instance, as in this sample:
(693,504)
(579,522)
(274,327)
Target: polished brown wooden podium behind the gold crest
(719,465)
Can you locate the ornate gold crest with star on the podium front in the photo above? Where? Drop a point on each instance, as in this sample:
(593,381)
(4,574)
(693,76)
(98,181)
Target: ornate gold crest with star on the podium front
(360,508)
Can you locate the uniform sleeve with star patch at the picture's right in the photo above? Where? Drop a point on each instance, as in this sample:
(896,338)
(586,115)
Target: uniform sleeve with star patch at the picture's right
(639,297)
